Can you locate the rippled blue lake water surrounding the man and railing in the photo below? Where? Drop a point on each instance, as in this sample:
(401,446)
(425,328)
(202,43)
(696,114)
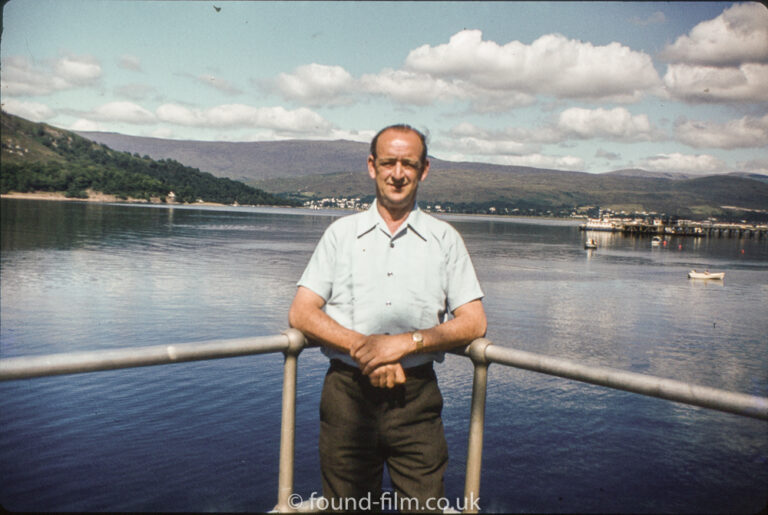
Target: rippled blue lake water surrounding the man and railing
(204,436)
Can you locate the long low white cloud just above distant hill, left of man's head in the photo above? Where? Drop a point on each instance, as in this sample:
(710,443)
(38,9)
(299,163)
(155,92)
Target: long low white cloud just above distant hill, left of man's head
(300,120)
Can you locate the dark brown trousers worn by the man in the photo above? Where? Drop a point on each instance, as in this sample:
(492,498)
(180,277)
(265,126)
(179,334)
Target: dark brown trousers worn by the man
(362,427)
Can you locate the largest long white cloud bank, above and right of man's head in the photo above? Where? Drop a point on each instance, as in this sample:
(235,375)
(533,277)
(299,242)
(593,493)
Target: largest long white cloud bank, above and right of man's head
(491,77)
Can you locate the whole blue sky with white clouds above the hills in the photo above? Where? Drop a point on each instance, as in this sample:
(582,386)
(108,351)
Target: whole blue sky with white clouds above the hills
(595,87)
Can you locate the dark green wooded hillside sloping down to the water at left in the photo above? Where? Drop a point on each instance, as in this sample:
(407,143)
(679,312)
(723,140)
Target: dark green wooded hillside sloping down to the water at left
(38,157)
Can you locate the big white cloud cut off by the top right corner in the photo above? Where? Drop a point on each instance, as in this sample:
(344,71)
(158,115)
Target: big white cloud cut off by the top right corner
(739,35)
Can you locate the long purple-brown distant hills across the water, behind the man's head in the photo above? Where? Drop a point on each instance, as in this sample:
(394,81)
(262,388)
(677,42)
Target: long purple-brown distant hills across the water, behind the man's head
(311,169)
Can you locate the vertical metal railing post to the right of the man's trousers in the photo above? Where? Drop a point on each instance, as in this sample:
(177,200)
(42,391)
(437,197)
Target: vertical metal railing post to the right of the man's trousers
(476,423)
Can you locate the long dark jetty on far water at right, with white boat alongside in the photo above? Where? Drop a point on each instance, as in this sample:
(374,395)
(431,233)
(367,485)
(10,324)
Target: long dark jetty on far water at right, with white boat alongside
(657,227)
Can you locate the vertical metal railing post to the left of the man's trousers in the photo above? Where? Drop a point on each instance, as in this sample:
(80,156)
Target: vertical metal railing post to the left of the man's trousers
(296,343)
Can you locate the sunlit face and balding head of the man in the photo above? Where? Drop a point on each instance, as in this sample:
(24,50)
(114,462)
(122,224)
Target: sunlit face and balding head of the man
(398,168)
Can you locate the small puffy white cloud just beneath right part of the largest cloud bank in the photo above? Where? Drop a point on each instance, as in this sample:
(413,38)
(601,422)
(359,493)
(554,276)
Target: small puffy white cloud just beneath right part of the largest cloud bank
(615,124)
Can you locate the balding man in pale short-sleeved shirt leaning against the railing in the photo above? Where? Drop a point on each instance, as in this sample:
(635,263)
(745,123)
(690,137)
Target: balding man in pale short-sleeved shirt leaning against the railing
(375,295)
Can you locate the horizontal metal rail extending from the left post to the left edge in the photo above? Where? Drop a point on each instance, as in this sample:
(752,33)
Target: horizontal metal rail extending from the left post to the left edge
(25,367)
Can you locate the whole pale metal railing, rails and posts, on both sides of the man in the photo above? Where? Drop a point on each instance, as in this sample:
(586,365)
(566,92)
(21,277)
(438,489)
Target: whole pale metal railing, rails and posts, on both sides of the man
(482,353)
